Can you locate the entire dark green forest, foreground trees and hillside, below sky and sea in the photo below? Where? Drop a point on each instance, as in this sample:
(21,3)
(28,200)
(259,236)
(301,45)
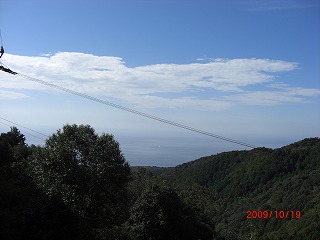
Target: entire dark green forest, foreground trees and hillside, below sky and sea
(80,186)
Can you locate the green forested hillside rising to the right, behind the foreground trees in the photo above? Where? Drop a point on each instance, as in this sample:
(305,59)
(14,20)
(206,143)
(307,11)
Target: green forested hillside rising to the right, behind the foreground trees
(284,182)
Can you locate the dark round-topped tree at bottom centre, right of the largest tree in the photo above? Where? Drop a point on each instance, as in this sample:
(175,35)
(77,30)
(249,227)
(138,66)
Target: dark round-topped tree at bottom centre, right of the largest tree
(160,214)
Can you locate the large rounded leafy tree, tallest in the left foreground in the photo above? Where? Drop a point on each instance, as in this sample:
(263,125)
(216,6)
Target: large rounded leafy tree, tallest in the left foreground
(88,172)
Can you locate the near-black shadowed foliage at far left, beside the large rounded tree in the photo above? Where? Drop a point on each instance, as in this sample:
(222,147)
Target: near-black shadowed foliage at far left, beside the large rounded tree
(25,212)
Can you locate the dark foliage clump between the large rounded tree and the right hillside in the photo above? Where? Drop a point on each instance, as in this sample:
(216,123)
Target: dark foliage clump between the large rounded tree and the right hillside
(161,210)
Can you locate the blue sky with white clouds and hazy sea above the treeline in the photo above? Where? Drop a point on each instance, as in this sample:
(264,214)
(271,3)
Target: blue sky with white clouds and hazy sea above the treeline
(248,70)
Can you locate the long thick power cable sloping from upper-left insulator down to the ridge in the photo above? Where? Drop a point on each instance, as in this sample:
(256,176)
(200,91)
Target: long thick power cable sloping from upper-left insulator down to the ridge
(135,111)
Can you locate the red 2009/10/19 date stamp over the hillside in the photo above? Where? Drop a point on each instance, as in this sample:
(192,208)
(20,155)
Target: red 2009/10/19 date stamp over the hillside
(273,213)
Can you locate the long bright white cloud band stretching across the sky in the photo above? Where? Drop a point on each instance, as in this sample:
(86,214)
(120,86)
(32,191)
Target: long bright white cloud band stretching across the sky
(156,86)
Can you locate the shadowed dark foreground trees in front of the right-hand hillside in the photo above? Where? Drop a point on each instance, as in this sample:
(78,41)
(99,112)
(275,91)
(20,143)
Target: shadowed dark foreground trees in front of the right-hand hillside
(79,186)
